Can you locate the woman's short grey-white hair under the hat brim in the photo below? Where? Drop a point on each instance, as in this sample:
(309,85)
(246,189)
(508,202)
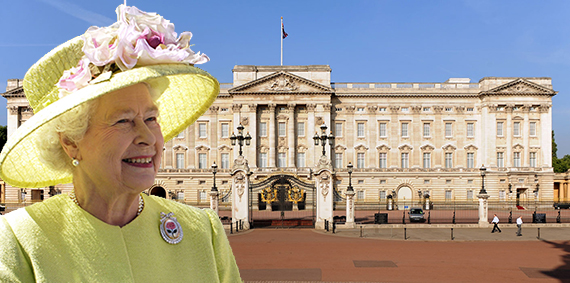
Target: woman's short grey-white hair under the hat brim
(71,125)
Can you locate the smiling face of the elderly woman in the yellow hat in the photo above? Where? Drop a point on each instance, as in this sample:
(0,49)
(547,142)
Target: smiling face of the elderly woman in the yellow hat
(123,146)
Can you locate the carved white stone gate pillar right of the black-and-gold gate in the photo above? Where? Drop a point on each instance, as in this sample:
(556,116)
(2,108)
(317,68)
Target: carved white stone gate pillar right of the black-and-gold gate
(324,184)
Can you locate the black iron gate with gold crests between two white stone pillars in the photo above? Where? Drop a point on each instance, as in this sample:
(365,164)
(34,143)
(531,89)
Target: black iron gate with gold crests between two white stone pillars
(282,201)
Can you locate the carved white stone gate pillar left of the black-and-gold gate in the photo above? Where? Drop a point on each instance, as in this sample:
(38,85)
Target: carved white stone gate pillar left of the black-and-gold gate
(240,192)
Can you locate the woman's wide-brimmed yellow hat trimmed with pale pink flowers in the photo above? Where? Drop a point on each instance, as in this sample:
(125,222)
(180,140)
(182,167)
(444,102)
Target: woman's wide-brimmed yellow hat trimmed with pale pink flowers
(139,47)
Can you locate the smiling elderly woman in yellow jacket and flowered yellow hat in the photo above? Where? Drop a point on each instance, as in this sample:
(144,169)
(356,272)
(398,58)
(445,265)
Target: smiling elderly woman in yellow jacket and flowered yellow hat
(104,103)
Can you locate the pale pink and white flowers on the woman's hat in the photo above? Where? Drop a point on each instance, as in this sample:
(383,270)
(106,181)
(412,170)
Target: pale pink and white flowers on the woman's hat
(136,39)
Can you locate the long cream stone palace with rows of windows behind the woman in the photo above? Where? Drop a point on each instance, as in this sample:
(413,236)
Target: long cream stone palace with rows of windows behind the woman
(404,140)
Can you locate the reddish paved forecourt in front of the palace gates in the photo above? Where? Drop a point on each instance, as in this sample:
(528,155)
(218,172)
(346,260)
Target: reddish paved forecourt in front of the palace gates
(382,255)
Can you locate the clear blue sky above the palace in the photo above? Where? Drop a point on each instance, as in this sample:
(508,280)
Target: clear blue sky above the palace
(362,41)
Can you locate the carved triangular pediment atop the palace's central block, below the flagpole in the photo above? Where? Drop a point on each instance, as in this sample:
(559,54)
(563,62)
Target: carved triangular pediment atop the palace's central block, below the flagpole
(279,83)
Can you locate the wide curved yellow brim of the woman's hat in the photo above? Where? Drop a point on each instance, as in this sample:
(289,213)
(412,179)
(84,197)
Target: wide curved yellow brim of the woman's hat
(186,93)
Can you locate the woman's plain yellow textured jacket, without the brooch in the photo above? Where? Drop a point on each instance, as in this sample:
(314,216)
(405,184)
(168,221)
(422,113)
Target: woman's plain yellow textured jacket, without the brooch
(57,241)
